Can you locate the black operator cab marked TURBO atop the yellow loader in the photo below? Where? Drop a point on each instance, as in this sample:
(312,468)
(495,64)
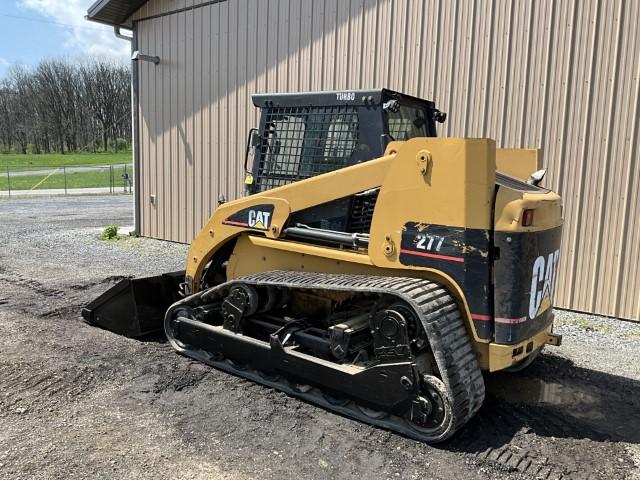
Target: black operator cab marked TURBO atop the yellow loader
(306,134)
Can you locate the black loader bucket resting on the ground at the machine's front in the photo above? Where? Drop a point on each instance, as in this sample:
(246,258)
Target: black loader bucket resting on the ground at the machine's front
(135,307)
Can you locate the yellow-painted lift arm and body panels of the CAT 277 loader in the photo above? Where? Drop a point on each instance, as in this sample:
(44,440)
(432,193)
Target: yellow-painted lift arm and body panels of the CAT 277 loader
(446,181)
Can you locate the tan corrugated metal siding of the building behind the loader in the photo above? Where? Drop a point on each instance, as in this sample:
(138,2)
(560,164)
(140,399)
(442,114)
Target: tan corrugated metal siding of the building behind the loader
(561,75)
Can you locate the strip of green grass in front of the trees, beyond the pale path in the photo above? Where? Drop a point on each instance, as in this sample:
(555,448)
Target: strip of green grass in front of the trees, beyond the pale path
(17,162)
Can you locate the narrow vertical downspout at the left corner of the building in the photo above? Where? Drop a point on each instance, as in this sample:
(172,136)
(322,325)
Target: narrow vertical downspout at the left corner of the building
(134,126)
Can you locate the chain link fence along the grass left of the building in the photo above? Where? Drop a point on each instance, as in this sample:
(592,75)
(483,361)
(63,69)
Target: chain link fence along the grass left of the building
(67,180)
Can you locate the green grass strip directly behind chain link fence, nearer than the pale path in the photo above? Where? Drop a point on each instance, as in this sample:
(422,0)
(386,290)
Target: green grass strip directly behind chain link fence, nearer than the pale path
(85,179)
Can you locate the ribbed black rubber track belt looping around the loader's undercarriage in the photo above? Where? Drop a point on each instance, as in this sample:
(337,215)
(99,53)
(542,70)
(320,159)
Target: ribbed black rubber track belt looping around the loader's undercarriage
(437,310)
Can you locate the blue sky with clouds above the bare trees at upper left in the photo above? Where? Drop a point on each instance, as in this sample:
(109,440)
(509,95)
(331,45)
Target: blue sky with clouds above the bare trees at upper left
(31,30)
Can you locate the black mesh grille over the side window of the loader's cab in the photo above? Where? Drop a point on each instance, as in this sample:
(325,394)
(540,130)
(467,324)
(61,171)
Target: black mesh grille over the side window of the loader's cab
(301,142)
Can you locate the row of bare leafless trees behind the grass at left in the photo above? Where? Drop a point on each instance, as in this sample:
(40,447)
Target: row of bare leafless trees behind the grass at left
(65,106)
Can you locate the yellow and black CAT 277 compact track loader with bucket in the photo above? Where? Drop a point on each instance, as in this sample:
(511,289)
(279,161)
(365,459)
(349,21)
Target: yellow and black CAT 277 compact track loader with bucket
(372,269)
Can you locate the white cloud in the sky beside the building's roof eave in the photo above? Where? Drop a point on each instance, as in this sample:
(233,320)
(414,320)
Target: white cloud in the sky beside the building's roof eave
(82,37)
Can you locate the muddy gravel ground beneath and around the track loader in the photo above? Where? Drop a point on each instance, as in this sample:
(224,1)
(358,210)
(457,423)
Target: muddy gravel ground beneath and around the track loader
(80,402)
